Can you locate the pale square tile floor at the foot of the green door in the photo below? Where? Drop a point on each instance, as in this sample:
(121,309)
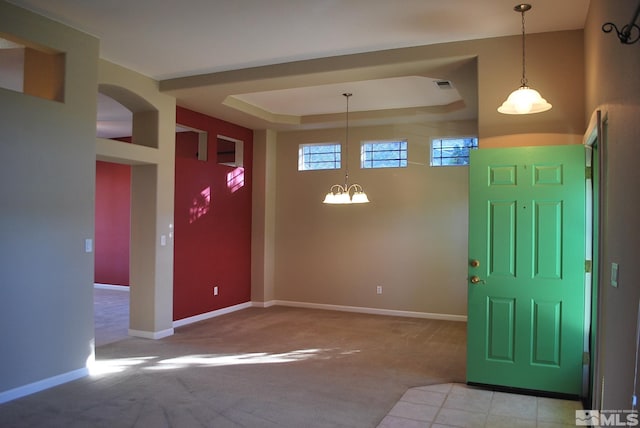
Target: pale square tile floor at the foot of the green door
(459,405)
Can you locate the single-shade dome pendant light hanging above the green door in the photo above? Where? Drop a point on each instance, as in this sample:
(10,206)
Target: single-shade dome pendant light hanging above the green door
(524,100)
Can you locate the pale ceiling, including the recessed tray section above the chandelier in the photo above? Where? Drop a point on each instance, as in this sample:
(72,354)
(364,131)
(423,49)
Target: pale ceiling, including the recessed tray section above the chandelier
(171,40)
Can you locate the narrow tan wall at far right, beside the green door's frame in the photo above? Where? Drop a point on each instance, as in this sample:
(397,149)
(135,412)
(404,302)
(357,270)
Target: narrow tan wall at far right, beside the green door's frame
(613,87)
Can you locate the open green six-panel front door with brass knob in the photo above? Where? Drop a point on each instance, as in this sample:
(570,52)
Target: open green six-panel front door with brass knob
(526,268)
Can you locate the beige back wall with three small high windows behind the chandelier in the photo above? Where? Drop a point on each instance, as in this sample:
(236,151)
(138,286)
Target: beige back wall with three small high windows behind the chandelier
(411,239)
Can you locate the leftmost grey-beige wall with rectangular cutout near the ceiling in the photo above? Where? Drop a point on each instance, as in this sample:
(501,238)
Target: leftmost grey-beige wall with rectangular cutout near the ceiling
(47,150)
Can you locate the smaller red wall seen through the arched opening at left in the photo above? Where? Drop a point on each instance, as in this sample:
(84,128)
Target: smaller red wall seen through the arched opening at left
(112,223)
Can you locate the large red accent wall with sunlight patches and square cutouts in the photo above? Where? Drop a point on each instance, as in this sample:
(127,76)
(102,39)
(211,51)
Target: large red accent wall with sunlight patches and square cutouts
(212,243)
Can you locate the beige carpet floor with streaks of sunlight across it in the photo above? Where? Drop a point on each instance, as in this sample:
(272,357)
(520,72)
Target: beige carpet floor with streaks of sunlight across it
(275,367)
